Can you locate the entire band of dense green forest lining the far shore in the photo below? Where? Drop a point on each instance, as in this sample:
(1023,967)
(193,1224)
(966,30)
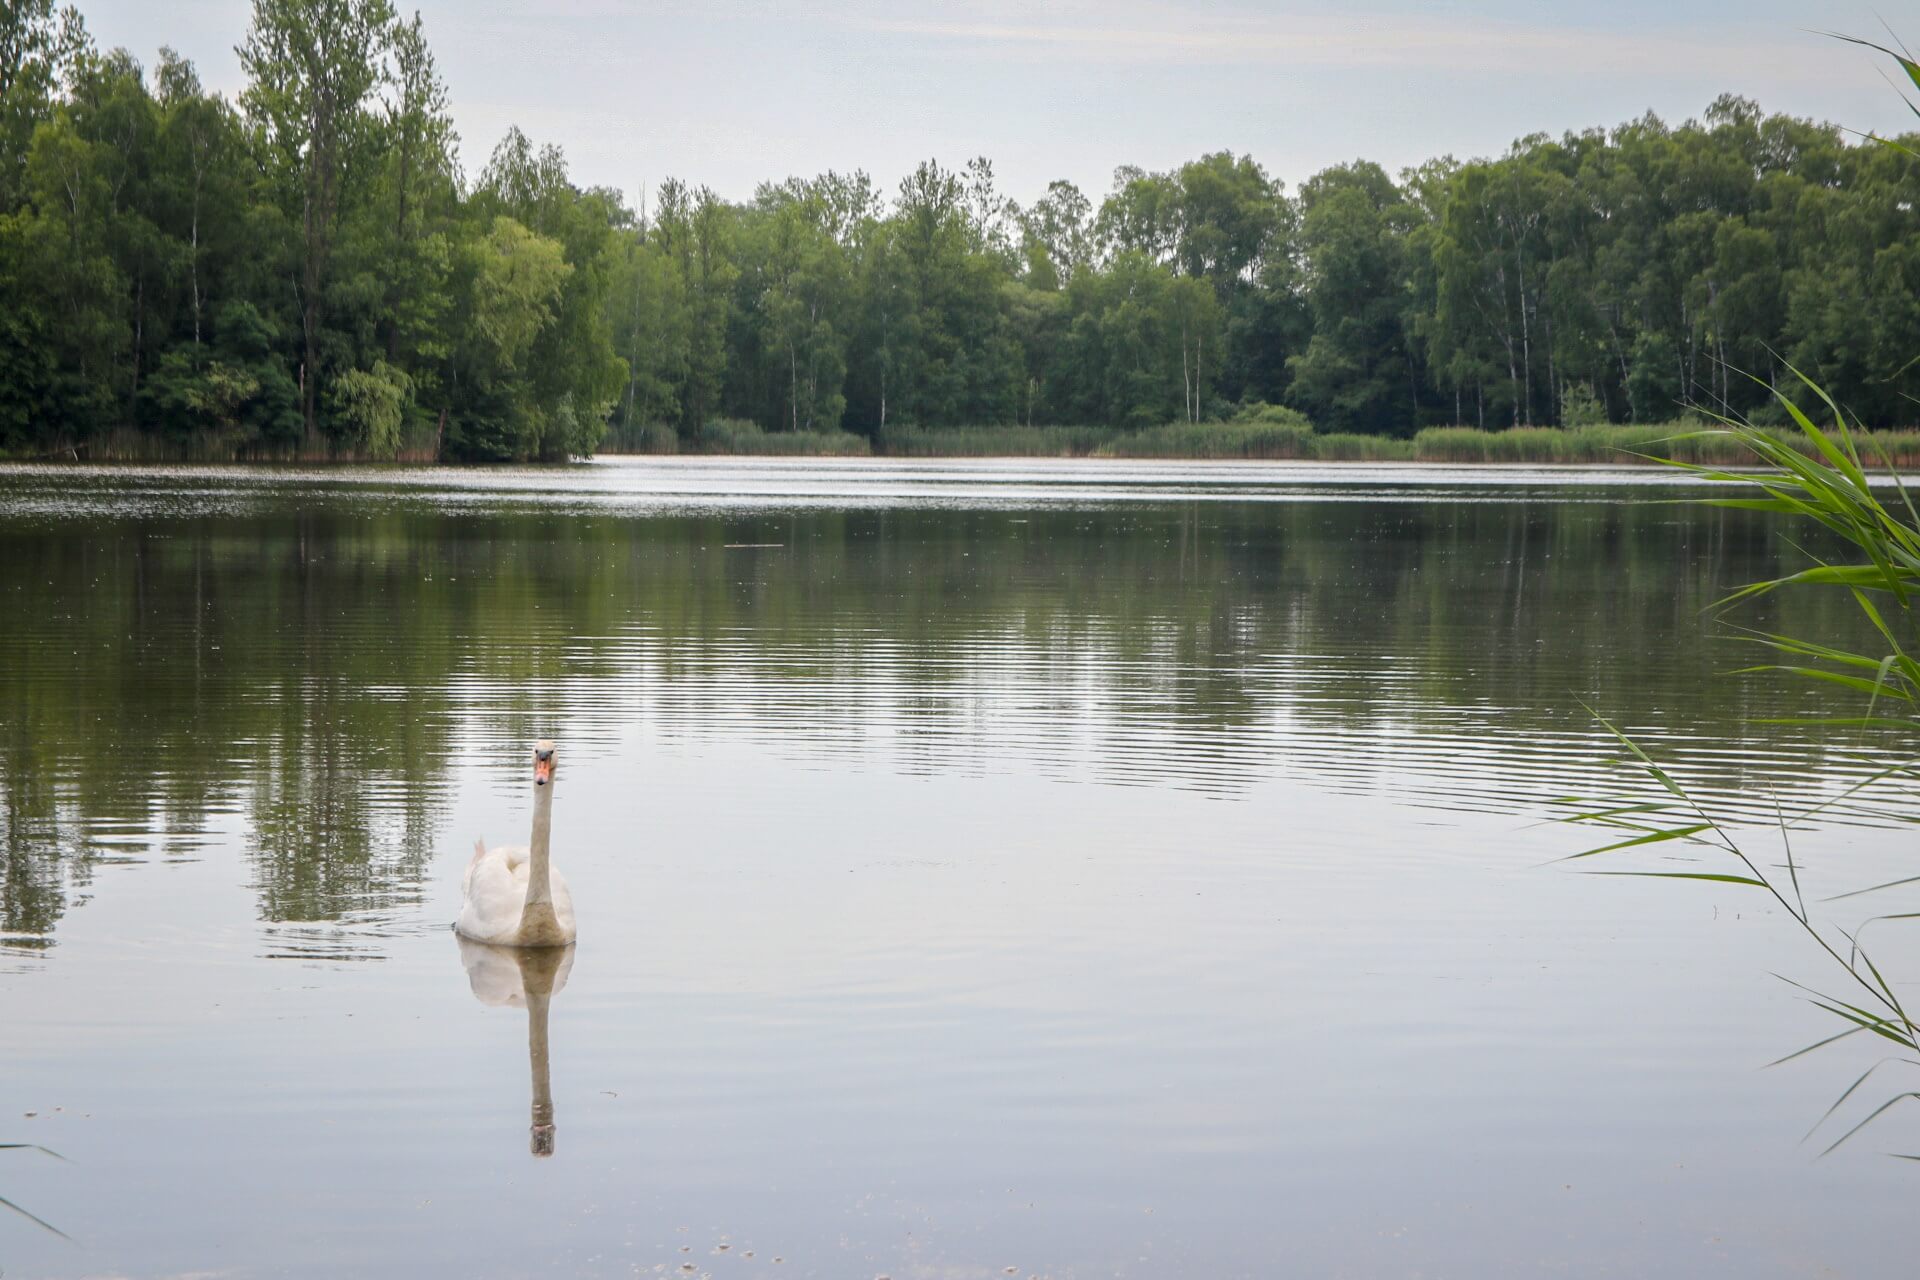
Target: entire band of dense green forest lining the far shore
(312,272)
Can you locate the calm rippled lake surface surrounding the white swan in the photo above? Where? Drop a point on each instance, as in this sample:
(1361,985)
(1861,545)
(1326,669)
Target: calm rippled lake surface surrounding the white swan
(984,870)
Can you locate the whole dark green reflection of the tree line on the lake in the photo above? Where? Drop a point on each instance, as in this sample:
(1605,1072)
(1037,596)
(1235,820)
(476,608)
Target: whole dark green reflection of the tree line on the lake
(304,675)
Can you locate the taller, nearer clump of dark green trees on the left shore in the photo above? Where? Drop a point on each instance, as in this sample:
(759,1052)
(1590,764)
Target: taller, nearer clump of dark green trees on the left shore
(295,275)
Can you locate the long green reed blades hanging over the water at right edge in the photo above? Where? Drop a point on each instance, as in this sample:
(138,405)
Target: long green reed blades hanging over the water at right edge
(1819,475)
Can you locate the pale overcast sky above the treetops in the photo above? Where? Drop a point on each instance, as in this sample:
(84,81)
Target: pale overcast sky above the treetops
(729,93)
